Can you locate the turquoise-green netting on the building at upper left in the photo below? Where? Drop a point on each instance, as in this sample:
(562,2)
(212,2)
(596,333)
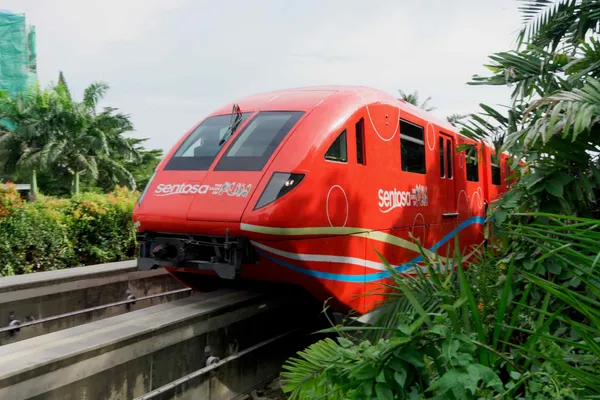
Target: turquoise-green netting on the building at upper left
(17,54)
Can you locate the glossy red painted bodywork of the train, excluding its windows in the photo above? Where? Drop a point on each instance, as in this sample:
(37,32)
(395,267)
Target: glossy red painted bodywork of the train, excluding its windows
(323,233)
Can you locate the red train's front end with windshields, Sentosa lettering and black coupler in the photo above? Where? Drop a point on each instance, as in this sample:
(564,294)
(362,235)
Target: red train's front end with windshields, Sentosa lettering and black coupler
(190,214)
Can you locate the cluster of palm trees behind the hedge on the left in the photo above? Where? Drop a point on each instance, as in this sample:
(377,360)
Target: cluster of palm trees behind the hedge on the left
(47,130)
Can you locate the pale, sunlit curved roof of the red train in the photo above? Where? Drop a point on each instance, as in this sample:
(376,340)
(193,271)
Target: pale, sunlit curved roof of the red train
(306,98)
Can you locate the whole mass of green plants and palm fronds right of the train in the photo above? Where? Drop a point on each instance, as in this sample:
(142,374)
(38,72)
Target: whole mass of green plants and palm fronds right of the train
(523,322)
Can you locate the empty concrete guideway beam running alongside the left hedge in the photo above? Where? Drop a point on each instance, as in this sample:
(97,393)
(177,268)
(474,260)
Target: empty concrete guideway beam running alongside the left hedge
(44,302)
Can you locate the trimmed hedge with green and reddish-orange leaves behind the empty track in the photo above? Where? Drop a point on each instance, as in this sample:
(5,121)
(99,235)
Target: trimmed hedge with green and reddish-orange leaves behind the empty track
(61,233)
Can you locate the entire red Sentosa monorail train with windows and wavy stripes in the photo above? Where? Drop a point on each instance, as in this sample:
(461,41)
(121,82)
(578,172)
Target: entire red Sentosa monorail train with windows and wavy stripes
(302,185)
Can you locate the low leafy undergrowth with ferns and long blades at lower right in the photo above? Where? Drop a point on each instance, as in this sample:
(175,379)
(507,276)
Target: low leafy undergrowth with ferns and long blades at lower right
(522,322)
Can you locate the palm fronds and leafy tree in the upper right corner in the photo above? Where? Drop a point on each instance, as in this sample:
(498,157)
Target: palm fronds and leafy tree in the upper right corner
(553,118)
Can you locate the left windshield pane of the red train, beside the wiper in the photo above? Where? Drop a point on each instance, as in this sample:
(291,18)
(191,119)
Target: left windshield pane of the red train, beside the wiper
(201,147)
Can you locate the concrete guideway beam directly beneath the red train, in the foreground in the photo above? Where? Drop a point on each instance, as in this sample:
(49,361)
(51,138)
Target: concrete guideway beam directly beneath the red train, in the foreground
(132,355)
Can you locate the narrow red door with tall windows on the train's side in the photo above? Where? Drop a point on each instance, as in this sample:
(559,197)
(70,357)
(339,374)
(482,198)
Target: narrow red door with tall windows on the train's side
(447,181)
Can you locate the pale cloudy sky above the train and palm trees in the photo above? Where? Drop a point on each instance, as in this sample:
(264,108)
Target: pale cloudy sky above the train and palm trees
(170,62)
